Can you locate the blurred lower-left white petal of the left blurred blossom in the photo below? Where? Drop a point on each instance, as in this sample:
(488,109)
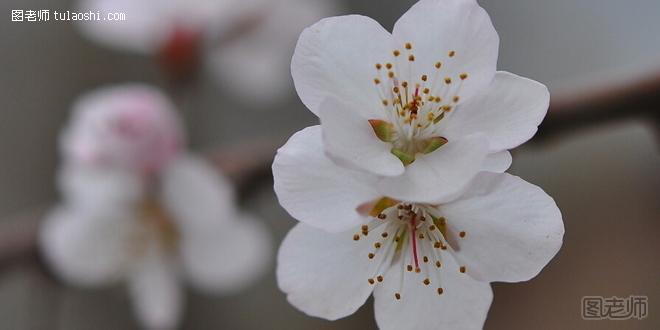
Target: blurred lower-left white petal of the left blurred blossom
(87,250)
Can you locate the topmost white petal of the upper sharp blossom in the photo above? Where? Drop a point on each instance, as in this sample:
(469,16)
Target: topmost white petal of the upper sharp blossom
(436,27)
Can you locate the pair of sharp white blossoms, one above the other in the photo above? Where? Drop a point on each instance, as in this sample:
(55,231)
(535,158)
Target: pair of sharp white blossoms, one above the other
(401,190)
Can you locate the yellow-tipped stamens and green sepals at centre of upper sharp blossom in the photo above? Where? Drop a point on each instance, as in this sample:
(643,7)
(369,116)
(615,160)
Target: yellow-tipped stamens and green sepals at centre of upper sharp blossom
(414,106)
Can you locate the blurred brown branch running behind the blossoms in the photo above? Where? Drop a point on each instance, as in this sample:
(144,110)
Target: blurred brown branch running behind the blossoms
(247,164)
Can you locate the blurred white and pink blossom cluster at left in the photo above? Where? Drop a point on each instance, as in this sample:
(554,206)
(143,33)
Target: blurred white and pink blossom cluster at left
(138,209)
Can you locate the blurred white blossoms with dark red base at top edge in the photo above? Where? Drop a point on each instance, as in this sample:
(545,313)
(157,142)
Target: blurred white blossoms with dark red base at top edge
(248,43)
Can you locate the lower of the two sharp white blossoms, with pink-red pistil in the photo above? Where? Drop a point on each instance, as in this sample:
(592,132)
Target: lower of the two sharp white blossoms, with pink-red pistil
(428,265)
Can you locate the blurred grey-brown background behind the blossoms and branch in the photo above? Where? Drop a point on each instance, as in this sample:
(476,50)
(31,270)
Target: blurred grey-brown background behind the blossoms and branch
(604,176)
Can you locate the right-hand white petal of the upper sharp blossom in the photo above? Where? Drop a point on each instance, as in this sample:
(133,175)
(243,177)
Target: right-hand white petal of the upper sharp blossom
(508,113)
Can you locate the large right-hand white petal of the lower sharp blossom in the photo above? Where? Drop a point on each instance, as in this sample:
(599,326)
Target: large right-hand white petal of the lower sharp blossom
(513,228)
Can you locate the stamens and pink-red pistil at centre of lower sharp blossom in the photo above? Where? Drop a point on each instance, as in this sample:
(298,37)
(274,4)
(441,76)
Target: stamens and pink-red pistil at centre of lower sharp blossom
(413,235)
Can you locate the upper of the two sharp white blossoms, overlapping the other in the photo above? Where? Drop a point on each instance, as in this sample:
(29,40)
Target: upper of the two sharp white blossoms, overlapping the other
(424,106)
